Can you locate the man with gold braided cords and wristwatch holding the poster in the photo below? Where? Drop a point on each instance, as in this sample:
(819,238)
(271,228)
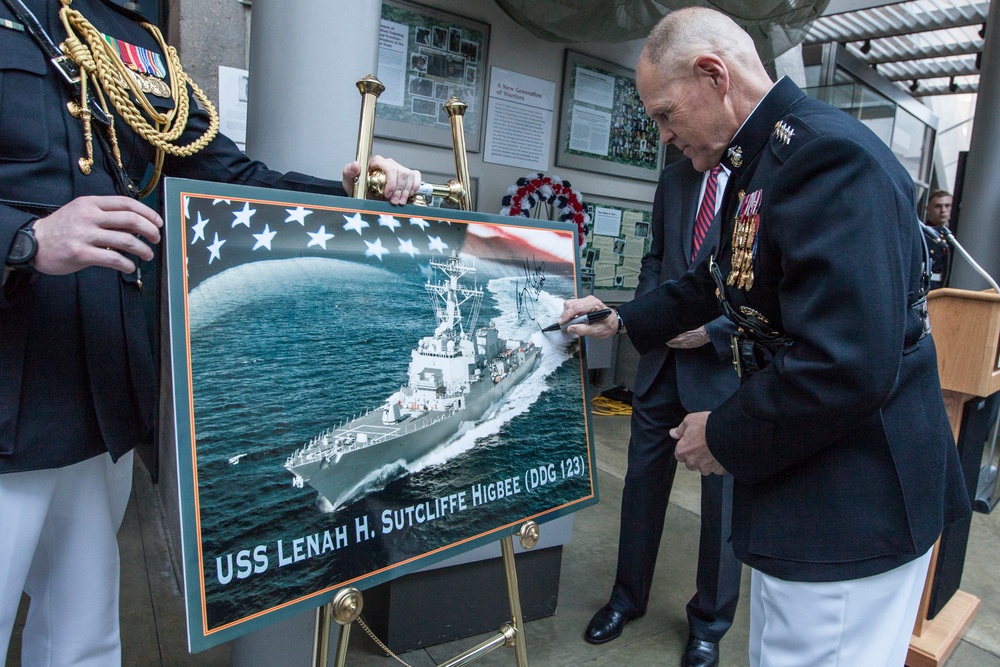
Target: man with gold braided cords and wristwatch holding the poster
(76,372)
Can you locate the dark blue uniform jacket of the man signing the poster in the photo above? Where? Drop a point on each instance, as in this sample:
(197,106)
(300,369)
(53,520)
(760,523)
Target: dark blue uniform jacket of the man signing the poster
(843,456)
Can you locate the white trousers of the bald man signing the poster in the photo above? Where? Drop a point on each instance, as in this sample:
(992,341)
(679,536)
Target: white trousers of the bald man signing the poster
(856,623)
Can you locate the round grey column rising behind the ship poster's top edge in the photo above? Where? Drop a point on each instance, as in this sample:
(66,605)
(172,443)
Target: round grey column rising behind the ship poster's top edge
(305,57)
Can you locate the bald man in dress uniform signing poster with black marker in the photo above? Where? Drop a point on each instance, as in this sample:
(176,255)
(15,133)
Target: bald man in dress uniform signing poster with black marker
(844,464)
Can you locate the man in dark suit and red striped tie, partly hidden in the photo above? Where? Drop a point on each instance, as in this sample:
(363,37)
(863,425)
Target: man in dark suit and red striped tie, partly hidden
(693,372)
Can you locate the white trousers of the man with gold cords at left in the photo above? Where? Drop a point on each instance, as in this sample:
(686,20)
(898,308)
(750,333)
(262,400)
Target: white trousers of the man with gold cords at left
(58,543)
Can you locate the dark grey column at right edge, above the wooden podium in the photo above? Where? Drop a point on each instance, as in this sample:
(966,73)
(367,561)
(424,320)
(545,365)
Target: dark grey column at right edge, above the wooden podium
(979,225)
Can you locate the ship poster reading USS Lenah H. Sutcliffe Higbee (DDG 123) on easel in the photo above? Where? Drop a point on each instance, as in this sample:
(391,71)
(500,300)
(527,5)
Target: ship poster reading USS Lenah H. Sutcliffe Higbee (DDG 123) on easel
(361,390)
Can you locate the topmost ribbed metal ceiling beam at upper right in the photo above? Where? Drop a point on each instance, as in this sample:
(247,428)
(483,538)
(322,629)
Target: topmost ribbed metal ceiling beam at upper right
(877,25)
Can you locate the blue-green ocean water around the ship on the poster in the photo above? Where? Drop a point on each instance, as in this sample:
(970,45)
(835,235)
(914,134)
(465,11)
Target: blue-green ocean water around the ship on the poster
(283,350)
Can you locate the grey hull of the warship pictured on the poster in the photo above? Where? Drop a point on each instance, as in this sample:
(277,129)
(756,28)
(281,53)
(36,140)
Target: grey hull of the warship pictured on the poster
(341,478)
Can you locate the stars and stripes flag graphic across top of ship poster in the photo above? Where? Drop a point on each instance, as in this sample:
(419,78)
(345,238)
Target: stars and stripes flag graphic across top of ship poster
(224,233)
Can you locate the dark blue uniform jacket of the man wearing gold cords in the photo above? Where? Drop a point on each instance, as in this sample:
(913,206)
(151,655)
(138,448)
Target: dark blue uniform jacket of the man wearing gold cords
(76,371)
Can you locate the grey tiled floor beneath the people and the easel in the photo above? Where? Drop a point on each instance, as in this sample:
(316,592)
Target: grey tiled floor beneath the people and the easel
(153,619)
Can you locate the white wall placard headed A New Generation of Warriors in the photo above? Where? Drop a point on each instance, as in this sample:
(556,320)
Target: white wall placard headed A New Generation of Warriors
(519,120)
